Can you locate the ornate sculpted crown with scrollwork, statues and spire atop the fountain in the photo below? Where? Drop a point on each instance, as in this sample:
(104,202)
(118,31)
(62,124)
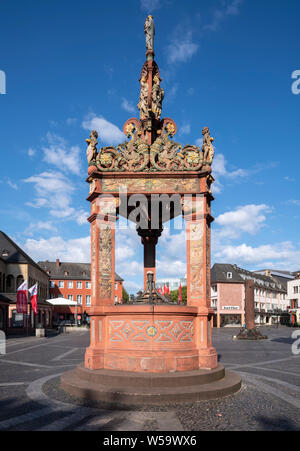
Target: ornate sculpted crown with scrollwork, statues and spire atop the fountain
(149,146)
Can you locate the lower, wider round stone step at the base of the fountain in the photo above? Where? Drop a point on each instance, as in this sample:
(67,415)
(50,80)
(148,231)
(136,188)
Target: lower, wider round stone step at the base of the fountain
(131,396)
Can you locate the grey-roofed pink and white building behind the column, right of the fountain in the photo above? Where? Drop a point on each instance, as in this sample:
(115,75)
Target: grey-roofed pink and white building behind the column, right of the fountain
(228,295)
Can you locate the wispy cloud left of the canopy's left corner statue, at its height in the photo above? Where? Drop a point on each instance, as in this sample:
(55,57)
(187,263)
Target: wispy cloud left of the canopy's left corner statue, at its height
(61,155)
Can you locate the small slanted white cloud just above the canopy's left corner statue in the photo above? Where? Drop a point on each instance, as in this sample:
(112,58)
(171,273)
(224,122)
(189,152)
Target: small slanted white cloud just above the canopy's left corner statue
(108,132)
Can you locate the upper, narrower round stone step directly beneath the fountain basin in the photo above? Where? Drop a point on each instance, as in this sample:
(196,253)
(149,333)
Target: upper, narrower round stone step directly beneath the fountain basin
(114,378)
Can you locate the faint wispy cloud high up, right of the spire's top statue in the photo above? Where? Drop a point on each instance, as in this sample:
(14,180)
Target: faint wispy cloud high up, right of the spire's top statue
(181,48)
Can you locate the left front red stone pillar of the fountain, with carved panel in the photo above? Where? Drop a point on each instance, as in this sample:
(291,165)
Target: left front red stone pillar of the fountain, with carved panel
(103,223)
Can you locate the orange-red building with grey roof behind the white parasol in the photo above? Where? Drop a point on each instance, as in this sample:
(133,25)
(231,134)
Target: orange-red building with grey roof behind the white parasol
(72,281)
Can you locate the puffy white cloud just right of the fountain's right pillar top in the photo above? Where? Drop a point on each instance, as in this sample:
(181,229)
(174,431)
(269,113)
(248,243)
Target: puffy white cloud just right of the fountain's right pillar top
(246,219)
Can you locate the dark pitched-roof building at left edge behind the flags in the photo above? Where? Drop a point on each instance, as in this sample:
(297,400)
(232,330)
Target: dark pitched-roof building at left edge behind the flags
(15,267)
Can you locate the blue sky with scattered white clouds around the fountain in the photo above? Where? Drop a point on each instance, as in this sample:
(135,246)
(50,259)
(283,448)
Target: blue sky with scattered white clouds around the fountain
(226,64)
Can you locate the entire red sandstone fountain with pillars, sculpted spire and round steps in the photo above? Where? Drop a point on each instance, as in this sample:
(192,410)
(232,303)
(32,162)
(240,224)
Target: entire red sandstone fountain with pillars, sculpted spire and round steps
(151,351)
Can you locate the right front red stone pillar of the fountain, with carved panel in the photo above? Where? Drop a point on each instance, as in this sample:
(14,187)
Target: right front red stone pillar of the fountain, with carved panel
(198,219)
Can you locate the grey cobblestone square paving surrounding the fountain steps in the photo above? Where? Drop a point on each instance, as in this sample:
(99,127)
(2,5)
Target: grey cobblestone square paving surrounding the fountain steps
(30,397)
